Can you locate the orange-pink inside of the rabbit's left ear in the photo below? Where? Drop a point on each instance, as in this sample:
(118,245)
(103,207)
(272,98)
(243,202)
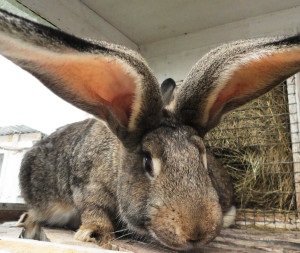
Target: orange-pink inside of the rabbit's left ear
(97,80)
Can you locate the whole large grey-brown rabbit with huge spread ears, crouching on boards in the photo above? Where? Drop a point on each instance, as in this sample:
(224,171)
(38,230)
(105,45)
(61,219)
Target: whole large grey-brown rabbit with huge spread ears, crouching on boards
(141,164)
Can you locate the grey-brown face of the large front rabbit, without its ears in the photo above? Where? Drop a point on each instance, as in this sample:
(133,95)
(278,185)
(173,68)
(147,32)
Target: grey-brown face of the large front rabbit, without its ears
(180,214)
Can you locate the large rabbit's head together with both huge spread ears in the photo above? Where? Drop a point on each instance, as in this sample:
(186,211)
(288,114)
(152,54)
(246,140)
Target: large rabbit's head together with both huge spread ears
(166,185)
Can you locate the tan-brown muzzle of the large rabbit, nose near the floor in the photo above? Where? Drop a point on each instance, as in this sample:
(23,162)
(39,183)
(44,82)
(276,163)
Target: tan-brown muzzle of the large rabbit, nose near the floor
(184,229)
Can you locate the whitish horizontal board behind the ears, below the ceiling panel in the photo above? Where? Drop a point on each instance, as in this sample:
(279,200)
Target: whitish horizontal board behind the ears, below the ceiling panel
(174,57)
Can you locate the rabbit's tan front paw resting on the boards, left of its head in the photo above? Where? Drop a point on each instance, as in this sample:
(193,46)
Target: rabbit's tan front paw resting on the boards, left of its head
(96,235)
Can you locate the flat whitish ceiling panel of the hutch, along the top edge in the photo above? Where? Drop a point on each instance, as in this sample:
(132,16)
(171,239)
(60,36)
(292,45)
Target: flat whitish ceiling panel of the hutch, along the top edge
(148,21)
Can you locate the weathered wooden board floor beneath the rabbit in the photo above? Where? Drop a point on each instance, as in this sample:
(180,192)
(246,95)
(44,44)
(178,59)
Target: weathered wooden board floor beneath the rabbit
(230,240)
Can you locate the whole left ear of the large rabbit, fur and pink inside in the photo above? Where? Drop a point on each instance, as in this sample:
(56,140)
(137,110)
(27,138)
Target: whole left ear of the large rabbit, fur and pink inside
(111,82)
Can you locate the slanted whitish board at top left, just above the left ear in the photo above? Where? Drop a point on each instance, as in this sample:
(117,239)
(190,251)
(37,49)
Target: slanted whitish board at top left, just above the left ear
(76,18)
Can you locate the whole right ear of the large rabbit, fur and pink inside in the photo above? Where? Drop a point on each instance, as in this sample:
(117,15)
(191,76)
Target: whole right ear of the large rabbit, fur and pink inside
(232,75)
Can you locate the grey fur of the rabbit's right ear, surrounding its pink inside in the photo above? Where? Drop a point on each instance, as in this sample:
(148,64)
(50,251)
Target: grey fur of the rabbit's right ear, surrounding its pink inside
(205,76)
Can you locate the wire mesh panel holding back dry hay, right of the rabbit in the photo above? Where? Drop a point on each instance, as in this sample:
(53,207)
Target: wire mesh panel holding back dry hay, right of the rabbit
(255,146)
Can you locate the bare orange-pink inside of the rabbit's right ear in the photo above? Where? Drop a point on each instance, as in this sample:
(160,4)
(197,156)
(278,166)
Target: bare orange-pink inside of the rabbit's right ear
(254,76)
